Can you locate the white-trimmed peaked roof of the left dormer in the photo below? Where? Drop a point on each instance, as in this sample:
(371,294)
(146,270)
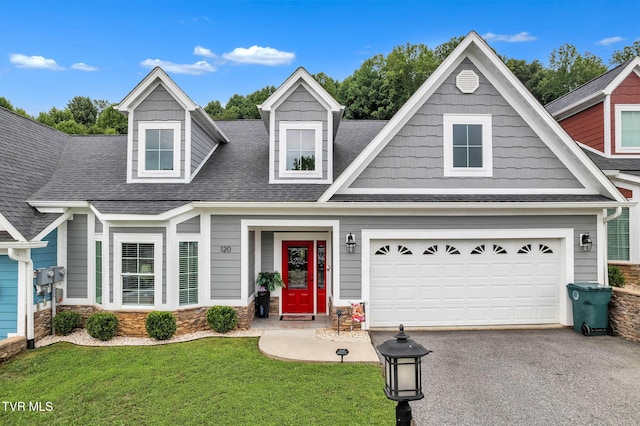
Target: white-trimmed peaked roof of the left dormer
(158,76)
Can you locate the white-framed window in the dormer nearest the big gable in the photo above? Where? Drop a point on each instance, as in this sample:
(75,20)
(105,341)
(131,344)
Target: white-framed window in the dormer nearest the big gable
(300,149)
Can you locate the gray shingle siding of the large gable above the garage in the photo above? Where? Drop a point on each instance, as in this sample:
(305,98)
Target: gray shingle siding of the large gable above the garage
(414,157)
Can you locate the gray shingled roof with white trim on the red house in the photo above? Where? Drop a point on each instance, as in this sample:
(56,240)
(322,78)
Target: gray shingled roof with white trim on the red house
(593,91)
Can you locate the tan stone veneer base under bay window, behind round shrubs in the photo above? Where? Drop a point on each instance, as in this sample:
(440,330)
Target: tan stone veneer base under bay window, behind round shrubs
(132,323)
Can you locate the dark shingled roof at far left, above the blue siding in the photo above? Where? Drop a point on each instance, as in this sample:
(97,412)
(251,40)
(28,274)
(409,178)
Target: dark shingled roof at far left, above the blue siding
(30,154)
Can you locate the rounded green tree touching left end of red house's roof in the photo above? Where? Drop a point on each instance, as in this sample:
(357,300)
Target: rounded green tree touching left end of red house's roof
(568,70)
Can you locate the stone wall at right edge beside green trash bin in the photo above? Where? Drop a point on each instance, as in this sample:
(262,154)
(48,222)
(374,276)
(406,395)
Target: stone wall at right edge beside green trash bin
(624,312)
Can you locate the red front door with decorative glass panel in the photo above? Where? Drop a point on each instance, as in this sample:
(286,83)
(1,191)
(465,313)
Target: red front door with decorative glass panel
(297,273)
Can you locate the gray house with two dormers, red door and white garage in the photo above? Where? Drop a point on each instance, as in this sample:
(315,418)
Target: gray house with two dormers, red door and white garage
(467,208)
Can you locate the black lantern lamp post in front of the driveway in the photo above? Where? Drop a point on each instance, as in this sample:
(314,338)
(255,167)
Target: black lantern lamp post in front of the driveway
(402,371)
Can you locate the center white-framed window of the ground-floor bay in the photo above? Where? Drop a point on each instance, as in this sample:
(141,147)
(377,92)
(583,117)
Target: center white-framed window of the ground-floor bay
(138,267)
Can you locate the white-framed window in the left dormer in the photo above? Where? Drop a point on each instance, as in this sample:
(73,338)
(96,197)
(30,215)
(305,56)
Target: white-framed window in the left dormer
(159,148)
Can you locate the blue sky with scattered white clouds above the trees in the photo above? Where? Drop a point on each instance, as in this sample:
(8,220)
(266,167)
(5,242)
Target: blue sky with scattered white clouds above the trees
(51,51)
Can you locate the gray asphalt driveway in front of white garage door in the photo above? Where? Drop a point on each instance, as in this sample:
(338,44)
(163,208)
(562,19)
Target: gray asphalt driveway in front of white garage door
(526,377)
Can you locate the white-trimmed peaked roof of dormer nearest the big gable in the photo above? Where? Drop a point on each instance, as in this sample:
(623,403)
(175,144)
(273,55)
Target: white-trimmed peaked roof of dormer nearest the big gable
(301,77)
